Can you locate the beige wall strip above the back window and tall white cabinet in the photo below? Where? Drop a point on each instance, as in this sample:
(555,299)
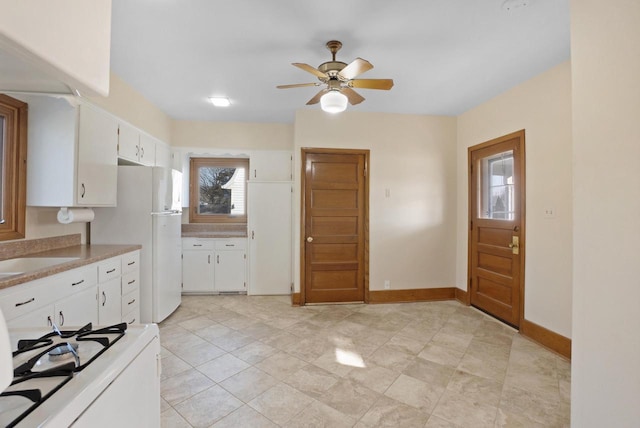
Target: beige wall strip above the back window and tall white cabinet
(232,135)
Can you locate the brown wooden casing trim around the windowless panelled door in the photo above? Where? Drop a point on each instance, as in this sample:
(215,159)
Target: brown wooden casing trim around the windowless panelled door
(367,173)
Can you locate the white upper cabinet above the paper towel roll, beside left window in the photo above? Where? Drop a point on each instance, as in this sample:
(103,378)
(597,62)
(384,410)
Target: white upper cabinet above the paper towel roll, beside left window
(72,157)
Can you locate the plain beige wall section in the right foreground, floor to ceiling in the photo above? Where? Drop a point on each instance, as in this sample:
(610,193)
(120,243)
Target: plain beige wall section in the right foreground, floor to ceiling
(605,55)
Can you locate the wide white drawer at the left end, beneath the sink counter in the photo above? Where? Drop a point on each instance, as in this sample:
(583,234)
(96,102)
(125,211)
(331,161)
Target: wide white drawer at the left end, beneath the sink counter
(29,297)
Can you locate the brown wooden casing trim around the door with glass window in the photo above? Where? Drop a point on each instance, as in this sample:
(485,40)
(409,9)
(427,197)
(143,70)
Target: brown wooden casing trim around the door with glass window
(521,200)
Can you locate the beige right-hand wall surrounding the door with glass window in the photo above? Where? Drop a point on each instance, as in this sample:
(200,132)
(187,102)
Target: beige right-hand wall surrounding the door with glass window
(542,107)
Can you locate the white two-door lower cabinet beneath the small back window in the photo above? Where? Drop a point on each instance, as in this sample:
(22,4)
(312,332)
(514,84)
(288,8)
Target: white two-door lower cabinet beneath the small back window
(214,265)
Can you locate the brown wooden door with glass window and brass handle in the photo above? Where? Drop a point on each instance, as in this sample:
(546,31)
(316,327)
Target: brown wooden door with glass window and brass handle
(496,232)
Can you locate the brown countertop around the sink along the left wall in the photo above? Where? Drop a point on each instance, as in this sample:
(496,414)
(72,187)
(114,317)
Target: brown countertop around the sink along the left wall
(86,254)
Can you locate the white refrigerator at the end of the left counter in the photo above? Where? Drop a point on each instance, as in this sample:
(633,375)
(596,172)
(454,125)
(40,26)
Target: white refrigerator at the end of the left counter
(148,213)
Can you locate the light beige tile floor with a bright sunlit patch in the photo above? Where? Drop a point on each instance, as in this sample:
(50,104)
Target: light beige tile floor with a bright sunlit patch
(238,361)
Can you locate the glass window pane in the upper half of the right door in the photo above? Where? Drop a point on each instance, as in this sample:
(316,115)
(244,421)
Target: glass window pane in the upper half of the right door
(496,187)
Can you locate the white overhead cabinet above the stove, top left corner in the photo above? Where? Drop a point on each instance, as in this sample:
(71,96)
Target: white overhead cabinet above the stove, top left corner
(55,46)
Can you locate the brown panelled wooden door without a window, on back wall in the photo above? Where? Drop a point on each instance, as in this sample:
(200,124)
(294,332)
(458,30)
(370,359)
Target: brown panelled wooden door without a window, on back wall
(334,205)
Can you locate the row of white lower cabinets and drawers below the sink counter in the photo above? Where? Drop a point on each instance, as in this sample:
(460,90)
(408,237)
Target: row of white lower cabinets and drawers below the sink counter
(90,294)
